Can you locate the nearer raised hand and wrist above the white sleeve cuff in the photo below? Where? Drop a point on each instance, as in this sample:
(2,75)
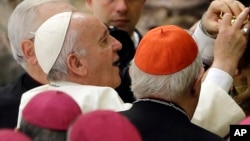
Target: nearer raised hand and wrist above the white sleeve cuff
(231,42)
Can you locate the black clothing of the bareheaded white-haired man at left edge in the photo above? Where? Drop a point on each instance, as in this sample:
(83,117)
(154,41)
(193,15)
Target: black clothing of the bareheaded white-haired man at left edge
(10,96)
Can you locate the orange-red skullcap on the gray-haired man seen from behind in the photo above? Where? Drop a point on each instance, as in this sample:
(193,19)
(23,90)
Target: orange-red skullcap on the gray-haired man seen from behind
(165,50)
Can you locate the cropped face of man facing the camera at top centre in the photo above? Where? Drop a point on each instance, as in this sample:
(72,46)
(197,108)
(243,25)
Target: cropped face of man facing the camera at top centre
(124,14)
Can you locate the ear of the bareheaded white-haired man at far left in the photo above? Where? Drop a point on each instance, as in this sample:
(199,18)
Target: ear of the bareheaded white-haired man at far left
(28,49)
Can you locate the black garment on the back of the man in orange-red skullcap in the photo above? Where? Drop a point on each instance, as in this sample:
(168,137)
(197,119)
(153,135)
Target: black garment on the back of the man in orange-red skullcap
(162,121)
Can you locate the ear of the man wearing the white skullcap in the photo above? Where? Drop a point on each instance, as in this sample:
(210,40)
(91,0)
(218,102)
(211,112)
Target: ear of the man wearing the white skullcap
(76,65)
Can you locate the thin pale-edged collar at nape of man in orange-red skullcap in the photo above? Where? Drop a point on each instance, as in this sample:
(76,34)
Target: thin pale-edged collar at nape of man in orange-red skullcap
(169,104)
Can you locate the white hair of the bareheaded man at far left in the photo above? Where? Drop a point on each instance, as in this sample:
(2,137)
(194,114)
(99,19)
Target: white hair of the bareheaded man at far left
(22,22)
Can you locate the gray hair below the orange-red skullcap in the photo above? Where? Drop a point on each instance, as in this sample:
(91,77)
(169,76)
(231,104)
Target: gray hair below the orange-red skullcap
(164,86)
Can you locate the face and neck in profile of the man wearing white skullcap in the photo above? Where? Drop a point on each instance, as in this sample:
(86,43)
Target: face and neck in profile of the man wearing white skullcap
(101,53)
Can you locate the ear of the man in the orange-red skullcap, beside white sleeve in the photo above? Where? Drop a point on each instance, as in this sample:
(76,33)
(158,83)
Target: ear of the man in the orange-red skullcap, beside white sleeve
(197,85)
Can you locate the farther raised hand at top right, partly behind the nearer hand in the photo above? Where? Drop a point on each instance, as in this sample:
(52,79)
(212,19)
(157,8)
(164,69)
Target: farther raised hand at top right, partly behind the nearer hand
(210,19)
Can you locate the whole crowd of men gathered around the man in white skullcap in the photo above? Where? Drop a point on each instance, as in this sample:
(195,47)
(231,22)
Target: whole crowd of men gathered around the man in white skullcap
(85,71)
